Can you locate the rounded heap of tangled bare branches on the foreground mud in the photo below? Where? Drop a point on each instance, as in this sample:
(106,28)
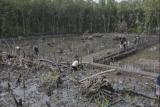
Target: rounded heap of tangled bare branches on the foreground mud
(97,89)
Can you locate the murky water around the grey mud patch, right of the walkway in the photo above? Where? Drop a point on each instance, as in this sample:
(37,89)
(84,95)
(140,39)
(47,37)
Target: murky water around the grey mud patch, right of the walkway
(151,52)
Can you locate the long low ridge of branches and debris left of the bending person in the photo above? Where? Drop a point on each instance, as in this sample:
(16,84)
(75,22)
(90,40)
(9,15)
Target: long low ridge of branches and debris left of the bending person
(18,62)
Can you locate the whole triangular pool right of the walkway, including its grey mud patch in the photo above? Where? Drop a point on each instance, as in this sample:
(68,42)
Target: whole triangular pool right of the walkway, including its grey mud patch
(150,55)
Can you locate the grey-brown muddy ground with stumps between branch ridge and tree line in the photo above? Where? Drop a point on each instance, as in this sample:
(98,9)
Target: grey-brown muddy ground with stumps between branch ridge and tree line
(64,47)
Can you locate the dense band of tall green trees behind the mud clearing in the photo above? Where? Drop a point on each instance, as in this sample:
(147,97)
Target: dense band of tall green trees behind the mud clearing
(40,16)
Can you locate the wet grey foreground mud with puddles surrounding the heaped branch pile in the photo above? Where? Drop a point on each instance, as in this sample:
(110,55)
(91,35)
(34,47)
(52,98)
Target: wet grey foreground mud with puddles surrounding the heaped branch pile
(41,90)
